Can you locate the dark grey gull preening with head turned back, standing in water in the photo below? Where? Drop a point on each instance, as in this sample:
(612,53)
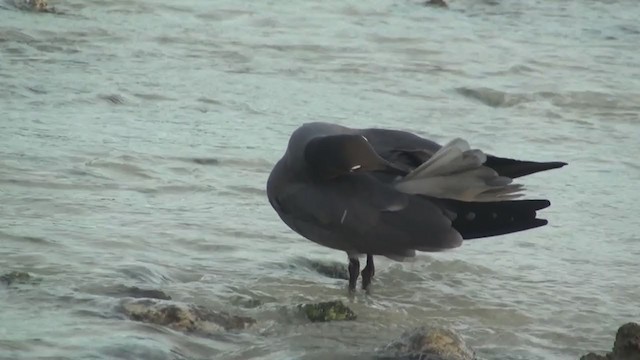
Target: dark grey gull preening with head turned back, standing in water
(392,193)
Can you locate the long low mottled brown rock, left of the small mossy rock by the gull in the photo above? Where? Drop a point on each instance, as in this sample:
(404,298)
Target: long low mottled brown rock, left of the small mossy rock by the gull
(183,317)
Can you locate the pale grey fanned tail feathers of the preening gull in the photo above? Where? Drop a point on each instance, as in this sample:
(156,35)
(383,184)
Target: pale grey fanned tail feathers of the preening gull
(458,172)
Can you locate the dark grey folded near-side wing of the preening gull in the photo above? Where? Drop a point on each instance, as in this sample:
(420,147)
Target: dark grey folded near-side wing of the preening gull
(370,216)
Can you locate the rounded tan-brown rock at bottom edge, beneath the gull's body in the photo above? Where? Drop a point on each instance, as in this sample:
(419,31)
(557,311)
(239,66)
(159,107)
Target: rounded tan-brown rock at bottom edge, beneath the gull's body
(428,343)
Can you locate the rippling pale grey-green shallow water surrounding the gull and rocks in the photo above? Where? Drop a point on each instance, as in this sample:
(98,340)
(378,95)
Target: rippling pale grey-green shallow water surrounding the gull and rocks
(137,136)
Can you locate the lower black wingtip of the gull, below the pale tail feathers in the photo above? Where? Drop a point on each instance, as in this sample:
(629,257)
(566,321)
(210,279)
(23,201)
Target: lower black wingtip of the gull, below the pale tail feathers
(483,219)
